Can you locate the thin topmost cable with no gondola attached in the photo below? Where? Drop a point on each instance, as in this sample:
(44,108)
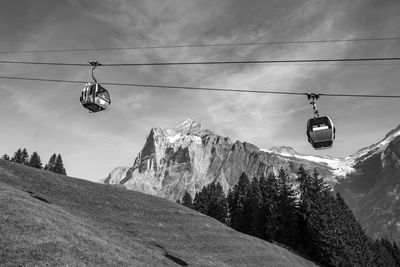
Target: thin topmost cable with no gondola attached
(201,45)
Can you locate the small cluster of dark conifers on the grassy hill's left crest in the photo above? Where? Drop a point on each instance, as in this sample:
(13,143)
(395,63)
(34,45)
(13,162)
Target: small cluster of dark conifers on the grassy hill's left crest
(55,163)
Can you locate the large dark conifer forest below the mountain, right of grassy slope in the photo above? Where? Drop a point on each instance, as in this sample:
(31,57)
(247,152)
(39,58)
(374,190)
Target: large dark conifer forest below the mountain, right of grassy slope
(311,219)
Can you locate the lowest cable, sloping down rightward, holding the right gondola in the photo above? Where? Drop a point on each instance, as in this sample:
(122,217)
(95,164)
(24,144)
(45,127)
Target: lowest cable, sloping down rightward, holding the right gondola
(202,88)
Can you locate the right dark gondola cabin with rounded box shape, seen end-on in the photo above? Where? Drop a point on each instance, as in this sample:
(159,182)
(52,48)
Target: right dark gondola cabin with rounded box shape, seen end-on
(321,132)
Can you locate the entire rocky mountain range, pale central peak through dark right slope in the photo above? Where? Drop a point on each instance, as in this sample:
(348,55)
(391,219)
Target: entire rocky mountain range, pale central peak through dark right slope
(188,157)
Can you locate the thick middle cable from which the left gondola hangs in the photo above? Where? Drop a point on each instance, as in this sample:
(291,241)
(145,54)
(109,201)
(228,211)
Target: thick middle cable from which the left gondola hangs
(205,62)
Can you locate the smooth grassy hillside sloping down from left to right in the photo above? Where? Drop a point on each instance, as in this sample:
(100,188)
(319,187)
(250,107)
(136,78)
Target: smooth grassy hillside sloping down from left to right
(50,219)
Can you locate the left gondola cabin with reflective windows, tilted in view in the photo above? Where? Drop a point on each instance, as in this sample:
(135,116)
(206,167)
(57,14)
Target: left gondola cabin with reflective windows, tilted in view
(95,98)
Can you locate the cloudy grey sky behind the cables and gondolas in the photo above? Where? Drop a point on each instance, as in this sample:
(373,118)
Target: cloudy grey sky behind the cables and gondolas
(48,117)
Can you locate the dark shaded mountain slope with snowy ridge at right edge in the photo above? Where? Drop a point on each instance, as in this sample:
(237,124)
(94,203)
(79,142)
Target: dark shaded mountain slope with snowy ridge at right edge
(373,190)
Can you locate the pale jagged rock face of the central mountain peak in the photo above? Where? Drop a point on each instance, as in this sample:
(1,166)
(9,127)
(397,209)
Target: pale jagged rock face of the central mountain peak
(187,157)
